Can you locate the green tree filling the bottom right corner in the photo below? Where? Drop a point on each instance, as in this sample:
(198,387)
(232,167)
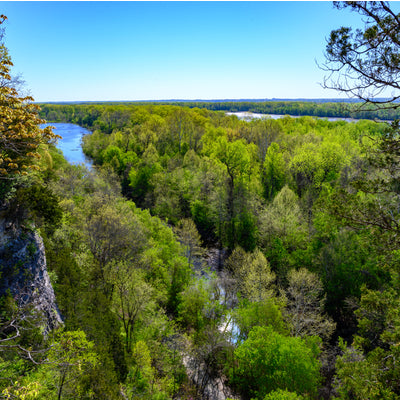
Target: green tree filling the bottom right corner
(369,369)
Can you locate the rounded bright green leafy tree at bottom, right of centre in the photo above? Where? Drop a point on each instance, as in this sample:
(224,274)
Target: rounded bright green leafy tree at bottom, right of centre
(269,361)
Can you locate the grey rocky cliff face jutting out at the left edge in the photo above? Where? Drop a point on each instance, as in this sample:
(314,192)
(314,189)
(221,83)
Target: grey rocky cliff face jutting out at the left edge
(23,272)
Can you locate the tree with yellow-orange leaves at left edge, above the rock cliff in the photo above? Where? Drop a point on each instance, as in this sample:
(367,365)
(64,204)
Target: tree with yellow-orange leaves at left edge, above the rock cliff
(20,134)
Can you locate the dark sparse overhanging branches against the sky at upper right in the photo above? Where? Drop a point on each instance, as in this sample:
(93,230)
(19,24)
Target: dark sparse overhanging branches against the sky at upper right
(366,63)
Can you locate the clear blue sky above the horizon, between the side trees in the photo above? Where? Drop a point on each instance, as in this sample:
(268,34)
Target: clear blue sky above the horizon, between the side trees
(99,51)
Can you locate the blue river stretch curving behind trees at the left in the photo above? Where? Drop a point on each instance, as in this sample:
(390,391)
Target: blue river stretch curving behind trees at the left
(71,141)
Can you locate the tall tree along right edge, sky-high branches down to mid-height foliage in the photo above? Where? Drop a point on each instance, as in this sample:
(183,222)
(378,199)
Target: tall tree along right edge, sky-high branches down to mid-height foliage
(366,64)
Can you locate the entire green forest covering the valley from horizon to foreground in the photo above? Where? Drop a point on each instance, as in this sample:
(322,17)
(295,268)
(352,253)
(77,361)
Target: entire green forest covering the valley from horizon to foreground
(203,256)
